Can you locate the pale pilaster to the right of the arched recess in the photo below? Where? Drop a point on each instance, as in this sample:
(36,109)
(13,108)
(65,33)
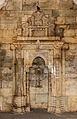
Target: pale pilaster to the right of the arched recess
(58,84)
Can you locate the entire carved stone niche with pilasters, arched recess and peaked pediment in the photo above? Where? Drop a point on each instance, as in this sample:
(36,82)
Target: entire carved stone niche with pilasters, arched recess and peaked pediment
(38,65)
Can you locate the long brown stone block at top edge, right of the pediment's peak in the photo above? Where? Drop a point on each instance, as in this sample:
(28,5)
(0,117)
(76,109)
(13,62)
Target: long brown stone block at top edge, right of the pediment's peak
(56,4)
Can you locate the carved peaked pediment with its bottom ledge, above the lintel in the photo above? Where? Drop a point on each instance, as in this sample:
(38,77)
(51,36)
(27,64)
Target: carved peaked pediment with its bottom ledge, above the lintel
(37,26)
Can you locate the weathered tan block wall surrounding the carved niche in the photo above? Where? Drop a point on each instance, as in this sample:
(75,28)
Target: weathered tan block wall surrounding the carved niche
(63,14)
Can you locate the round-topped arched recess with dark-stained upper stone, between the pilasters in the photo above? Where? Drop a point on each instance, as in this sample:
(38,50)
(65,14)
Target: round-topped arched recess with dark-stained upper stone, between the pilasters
(38,82)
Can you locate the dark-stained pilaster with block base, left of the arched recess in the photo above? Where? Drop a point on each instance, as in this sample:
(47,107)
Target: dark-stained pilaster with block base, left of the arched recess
(19,98)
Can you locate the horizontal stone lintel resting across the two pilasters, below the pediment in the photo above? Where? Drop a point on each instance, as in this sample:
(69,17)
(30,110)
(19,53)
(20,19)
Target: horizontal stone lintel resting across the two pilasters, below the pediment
(31,45)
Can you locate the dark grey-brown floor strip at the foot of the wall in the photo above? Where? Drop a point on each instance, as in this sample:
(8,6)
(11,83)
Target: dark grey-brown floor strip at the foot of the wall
(38,115)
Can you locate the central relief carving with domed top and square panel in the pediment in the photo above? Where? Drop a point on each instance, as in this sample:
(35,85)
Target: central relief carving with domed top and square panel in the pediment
(41,24)
